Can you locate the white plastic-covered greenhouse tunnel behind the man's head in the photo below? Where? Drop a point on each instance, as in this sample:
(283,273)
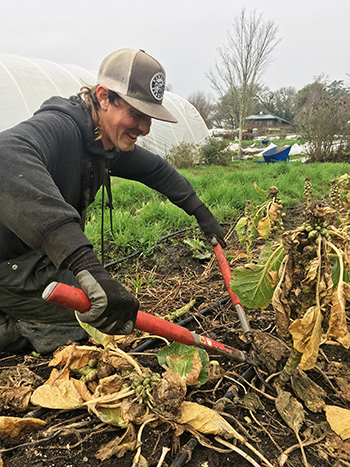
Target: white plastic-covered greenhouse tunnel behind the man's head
(26,83)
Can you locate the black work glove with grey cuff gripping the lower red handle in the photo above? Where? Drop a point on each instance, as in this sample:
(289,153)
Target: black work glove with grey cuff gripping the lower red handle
(113,308)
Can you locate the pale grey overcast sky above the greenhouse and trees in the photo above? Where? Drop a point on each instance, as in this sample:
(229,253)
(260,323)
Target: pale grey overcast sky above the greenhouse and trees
(183,35)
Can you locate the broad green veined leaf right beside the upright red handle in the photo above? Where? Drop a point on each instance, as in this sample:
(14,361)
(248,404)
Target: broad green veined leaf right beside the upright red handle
(252,282)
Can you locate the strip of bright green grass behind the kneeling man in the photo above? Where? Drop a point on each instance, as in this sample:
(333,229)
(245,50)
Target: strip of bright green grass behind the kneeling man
(141,216)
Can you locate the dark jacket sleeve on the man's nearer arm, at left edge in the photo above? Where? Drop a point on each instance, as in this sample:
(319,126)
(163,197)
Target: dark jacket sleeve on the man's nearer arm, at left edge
(31,204)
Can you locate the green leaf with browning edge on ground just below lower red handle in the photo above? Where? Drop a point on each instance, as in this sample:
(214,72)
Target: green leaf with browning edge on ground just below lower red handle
(180,358)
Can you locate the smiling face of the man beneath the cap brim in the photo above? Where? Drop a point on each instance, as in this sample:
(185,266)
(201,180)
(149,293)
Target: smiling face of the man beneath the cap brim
(121,124)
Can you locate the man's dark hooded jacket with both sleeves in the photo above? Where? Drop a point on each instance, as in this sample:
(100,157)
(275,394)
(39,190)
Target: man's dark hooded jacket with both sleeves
(51,168)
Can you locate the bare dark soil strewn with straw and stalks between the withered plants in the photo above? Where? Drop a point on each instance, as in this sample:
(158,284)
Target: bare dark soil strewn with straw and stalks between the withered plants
(167,280)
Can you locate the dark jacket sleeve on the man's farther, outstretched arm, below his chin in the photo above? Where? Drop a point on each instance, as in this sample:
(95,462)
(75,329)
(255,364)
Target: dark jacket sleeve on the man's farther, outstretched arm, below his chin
(155,172)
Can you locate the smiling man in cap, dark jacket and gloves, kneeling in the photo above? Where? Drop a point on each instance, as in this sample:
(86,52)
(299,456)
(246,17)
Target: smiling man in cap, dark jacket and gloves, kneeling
(51,167)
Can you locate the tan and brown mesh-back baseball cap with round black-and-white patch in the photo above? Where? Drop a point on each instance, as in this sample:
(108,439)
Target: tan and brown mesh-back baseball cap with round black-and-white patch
(138,79)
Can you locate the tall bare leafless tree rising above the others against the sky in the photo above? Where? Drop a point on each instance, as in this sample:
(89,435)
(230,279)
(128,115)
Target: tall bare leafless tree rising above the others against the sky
(243,59)
